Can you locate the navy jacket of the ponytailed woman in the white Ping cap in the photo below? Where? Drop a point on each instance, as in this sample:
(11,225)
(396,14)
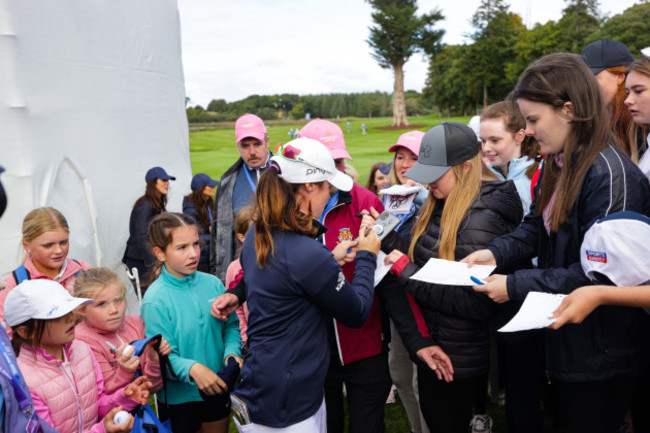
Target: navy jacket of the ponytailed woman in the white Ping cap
(290,302)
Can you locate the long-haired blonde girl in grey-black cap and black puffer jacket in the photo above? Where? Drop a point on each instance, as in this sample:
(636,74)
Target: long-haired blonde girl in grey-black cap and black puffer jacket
(464,209)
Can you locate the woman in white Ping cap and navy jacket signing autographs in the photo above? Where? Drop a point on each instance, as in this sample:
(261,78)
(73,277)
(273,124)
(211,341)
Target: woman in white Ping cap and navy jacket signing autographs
(294,287)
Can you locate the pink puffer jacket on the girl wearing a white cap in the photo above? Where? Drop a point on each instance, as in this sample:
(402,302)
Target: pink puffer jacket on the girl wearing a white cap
(71,403)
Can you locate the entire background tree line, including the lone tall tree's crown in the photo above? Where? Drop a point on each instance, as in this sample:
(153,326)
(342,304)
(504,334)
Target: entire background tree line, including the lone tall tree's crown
(461,78)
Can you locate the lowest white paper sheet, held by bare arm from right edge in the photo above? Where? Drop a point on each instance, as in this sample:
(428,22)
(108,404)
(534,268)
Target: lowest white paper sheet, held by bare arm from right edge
(534,312)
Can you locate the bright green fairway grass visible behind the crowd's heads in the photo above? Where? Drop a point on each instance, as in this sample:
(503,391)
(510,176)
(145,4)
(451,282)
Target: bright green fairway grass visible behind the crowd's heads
(212,151)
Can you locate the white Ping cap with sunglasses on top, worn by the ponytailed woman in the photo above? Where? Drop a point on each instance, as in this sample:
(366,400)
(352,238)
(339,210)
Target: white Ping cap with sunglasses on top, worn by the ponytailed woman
(305,160)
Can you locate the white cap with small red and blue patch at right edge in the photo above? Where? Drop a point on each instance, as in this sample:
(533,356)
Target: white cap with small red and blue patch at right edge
(617,247)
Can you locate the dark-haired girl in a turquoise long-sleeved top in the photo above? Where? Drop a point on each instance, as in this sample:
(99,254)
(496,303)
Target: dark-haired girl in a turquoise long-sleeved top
(177,305)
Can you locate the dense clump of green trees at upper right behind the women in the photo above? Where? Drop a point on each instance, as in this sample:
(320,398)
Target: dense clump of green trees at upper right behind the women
(464,77)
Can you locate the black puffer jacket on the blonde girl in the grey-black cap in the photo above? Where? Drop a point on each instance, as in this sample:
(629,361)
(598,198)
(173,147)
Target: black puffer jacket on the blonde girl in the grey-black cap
(457,316)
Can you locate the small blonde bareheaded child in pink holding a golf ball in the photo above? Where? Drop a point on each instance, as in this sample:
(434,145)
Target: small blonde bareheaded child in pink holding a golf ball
(105,321)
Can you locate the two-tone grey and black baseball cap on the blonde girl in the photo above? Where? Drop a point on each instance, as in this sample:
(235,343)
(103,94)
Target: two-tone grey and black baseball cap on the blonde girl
(443,146)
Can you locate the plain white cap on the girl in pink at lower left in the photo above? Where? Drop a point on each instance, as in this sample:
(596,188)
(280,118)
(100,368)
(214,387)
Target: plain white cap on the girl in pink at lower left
(39,299)
